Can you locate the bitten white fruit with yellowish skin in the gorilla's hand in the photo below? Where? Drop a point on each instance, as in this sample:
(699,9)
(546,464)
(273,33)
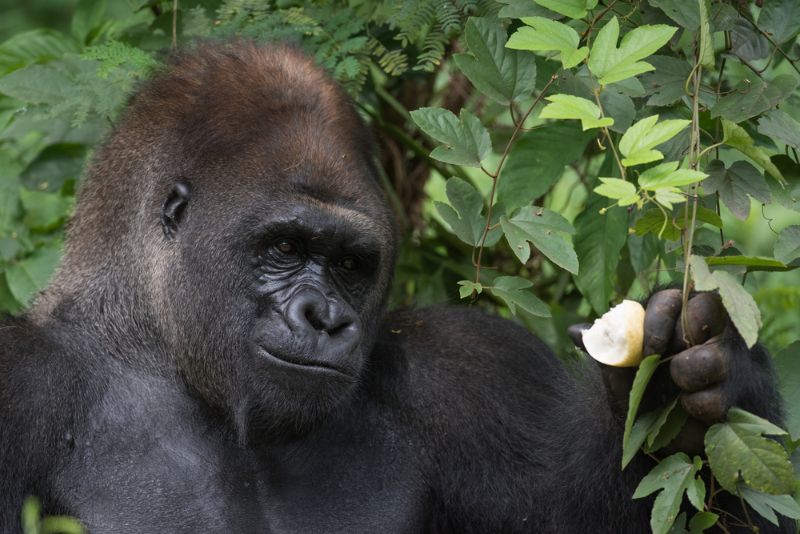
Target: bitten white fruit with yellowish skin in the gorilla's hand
(617,337)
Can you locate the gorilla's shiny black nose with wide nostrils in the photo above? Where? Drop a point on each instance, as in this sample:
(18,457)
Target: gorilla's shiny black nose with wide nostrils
(311,314)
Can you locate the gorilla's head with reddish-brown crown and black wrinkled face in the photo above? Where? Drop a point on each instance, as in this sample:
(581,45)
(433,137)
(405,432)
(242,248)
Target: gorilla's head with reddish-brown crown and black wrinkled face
(233,225)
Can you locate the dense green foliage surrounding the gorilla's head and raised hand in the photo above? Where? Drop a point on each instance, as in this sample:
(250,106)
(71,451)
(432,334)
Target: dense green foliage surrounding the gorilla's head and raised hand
(546,159)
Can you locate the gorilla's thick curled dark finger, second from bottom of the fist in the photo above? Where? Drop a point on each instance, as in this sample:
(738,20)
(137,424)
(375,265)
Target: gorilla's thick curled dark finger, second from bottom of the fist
(698,367)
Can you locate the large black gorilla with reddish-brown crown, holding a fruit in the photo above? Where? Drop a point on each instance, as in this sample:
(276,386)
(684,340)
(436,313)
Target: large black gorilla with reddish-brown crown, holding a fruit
(213,354)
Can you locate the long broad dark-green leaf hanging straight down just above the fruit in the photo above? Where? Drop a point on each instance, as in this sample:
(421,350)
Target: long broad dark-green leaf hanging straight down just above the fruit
(598,242)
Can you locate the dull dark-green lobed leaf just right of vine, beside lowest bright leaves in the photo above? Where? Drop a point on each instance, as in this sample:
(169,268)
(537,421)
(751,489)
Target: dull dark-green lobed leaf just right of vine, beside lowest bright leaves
(736,185)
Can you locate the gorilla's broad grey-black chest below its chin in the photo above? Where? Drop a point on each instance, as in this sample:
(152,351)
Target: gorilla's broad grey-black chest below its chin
(155,471)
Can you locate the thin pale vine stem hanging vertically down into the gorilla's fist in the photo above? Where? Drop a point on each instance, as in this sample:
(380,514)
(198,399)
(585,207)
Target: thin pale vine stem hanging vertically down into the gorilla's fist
(689,222)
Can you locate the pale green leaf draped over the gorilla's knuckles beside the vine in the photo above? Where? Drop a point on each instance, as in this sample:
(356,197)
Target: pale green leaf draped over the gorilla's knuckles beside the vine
(739,304)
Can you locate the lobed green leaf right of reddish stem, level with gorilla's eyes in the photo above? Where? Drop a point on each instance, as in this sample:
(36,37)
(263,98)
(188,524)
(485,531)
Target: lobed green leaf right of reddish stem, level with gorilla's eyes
(546,230)
